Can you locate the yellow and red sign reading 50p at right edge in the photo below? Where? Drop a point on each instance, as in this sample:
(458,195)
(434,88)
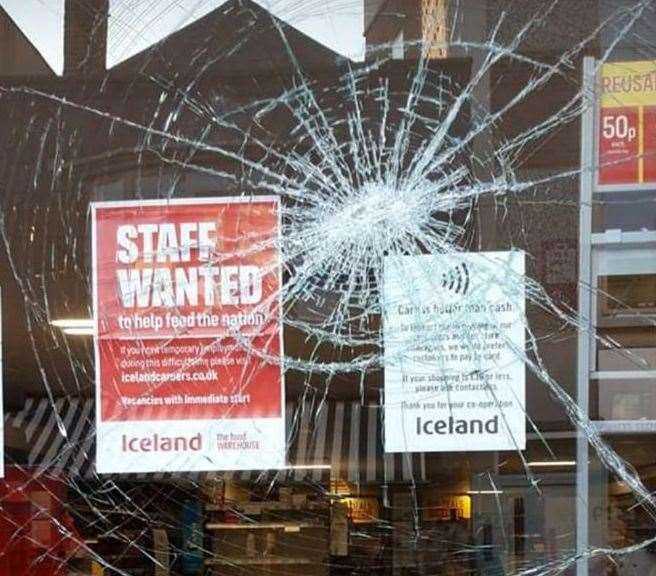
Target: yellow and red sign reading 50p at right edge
(627,123)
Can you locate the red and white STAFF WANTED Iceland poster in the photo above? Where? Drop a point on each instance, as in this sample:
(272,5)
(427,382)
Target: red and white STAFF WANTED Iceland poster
(188,340)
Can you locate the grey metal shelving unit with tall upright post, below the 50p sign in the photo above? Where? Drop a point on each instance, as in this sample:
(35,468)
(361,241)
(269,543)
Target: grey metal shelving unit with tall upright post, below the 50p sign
(609,249)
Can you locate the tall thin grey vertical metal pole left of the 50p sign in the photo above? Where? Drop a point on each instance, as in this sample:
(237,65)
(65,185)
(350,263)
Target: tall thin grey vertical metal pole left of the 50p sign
(586,182)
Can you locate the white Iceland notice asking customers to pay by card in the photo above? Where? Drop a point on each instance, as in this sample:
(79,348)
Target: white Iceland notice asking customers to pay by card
(454,330)
